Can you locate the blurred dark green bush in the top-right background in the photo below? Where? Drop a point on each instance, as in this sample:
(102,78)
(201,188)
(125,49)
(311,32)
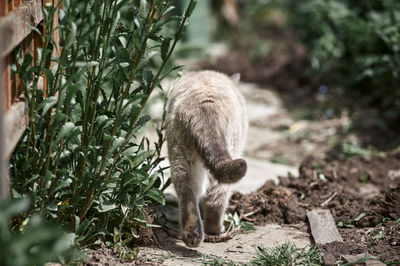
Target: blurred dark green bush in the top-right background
(353,44)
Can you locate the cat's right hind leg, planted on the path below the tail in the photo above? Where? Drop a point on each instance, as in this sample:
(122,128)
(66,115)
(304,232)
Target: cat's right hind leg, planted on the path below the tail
(214,205)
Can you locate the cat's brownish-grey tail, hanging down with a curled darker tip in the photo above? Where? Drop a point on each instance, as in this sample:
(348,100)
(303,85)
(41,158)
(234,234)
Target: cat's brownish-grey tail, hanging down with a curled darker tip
(209,137)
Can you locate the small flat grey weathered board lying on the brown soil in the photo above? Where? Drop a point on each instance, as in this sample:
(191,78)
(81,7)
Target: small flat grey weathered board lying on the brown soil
(323,228)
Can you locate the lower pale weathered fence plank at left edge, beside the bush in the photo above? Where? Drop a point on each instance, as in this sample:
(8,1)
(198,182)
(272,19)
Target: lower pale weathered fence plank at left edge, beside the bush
(15,122)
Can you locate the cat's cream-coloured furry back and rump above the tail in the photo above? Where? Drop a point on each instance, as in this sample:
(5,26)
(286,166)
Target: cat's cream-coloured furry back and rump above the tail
(207,105)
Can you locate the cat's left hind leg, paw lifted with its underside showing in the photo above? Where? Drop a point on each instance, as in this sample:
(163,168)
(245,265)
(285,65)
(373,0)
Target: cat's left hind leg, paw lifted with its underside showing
(189,186)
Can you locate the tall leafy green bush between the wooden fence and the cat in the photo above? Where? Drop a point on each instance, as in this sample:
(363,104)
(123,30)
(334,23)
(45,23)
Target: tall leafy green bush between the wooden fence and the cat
(80,160)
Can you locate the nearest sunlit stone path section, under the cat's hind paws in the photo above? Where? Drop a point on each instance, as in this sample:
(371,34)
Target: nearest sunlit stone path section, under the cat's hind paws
(240,249)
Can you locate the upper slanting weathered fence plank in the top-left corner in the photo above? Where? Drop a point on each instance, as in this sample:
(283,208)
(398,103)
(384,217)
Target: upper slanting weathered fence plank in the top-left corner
(15,26)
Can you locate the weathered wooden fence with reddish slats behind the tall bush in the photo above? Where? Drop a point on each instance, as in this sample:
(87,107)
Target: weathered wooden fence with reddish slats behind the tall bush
(16,19)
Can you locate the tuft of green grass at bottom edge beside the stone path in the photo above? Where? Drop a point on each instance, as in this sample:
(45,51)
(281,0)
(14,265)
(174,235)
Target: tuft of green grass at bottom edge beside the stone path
(287,254)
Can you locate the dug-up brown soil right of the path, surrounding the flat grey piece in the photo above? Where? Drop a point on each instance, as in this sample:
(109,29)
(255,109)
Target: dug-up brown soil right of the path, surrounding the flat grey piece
(363,195)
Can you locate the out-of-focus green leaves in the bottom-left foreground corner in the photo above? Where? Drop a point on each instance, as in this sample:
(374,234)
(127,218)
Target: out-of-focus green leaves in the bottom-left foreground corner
(35,242)
